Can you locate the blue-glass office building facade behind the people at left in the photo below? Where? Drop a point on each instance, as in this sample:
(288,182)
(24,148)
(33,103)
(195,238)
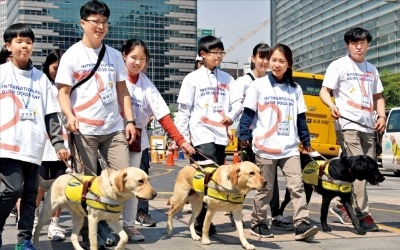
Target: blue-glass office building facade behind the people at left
(168,27)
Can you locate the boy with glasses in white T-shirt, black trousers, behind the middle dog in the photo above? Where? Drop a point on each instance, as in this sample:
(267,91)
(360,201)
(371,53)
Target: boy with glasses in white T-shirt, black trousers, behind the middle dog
(204,108)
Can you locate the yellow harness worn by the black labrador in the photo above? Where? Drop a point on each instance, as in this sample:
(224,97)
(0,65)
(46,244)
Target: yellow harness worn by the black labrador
(318,171)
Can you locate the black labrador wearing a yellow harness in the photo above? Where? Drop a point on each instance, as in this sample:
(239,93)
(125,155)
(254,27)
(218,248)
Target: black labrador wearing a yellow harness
(334,179)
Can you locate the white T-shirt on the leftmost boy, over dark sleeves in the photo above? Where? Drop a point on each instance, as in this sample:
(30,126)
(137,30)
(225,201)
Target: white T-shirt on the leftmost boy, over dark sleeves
(20,91)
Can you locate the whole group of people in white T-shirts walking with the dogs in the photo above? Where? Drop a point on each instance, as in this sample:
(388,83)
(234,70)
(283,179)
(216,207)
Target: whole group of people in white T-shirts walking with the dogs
(106,101)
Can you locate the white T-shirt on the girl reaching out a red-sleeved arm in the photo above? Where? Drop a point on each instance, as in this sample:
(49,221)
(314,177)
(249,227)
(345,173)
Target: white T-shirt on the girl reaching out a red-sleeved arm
(146,100)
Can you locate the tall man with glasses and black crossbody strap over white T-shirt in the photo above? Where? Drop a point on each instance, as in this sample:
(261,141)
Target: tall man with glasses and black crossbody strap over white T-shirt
(94,107)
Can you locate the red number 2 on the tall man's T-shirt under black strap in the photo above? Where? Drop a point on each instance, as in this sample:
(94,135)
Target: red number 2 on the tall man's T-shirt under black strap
(92,101)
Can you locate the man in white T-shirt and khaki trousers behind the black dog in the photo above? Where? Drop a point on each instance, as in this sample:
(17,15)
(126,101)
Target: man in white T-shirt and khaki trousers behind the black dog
(357,89)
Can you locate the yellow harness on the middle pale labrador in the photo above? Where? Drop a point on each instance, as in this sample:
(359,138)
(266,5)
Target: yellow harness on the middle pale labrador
(204,183)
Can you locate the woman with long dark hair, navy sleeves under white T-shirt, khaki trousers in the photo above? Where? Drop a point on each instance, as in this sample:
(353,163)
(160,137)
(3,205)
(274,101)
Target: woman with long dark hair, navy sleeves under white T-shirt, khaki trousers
(274,106)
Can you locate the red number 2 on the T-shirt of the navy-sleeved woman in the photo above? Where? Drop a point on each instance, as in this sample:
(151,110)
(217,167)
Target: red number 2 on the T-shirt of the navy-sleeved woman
(257,144)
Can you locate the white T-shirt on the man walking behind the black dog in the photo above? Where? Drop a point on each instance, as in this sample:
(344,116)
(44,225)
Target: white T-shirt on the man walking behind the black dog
(353,86)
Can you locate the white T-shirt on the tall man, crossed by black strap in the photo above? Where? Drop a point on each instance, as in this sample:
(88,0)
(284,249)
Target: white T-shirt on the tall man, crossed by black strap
(95,116)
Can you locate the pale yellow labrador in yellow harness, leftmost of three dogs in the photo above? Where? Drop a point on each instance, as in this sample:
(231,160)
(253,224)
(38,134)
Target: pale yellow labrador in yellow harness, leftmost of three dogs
(103,199)
